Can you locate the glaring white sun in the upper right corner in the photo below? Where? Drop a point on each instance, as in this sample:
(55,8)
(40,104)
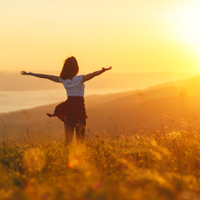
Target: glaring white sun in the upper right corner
(185,19)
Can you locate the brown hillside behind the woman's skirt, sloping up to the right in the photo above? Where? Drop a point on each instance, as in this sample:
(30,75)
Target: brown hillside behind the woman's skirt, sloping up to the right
(127,112)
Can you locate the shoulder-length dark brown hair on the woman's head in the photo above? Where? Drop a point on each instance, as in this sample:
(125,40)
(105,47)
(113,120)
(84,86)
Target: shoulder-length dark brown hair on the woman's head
(70,68)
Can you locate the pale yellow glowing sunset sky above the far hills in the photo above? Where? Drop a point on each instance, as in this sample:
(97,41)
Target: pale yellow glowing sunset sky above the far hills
(130,35)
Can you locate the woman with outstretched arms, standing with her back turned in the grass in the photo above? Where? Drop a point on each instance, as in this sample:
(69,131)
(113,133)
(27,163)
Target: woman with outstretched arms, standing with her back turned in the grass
(72,111)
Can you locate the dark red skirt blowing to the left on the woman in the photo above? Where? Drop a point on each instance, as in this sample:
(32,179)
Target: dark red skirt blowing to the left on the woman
(71,111)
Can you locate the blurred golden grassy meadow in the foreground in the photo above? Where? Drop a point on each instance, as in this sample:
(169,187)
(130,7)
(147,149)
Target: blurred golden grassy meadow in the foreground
(159,164)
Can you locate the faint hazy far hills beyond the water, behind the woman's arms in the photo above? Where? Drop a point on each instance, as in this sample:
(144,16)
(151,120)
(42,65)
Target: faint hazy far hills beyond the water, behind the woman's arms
(14,81)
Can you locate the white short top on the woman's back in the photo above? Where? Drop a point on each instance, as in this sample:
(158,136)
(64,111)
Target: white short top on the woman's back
(74,87)
